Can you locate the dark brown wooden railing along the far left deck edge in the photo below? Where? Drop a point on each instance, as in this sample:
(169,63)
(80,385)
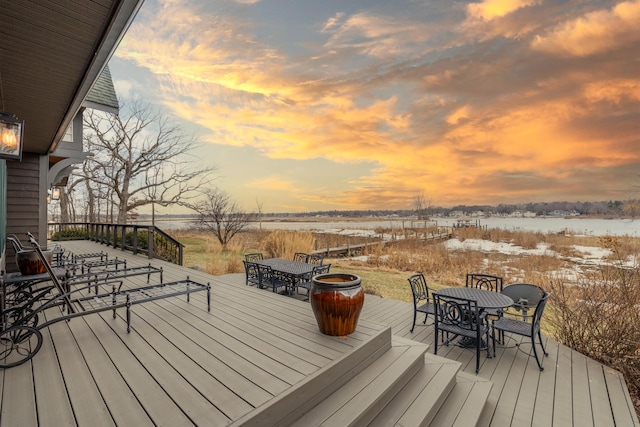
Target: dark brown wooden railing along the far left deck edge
(145,239)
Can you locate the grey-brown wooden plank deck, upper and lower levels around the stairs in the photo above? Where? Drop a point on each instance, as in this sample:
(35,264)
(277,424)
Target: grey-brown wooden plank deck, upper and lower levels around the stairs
(257,354)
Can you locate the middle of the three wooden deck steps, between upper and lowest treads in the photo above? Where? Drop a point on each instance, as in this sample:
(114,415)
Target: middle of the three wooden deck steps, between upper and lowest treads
(420,400)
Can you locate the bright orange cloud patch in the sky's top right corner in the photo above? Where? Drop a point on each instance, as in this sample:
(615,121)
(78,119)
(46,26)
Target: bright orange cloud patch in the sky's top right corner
(594,32)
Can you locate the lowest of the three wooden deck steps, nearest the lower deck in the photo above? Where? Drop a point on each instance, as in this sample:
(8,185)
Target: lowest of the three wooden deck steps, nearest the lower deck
(465,402)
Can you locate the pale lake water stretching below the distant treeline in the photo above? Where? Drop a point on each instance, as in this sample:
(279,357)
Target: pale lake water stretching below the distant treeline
(586,226)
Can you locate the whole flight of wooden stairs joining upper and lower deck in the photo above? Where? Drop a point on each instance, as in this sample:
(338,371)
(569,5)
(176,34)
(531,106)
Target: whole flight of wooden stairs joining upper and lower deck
(402,385)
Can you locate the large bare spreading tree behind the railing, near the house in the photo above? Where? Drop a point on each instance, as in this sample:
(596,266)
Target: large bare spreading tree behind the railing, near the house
(140,158)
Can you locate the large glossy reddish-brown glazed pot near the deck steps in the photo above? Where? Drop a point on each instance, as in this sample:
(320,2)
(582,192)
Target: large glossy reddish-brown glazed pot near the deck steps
(336,300)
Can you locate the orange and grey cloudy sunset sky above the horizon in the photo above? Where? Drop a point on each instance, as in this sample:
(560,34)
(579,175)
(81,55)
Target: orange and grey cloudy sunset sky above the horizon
(323,105)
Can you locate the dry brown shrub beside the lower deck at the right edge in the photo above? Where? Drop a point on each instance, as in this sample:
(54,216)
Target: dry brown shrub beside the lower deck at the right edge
(599,317)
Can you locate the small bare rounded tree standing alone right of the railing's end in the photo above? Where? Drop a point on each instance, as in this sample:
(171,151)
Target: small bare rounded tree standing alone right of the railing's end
(221,215)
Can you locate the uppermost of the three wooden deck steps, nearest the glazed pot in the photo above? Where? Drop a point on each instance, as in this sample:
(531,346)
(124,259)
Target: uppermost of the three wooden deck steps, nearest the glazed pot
(360,400)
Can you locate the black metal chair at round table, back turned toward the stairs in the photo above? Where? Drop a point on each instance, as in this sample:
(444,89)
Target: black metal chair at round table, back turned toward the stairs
(461,317)
